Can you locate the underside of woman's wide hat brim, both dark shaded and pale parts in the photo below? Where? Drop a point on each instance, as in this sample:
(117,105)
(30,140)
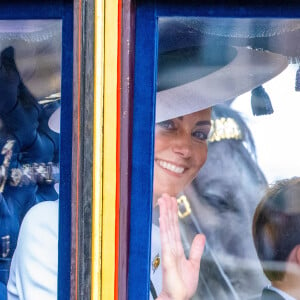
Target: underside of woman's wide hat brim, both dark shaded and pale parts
(195,78)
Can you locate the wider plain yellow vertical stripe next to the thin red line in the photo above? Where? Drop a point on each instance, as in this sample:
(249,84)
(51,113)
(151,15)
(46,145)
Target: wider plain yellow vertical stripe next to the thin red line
(109,148)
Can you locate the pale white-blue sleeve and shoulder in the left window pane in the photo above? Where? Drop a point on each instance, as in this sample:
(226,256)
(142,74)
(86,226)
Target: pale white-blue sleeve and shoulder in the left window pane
(33,272)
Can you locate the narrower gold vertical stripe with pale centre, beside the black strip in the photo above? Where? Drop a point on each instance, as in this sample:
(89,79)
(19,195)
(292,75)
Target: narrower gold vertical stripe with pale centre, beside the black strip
(97,210)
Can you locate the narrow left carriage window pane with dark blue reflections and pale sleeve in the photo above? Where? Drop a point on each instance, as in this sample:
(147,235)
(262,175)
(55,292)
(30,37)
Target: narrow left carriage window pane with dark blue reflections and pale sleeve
(30,84)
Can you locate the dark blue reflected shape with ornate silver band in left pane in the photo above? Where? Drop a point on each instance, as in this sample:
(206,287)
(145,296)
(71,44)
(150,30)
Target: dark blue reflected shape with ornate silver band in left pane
(25,128)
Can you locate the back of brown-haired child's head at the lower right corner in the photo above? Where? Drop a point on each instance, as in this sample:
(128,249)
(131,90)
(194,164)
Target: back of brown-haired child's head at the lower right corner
(276,234)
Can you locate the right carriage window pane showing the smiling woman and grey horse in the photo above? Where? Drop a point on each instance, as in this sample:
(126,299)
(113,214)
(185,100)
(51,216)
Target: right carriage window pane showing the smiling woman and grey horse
(226,130)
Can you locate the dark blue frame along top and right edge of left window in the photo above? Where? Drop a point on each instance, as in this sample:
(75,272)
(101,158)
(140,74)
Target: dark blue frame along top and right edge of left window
(62,9)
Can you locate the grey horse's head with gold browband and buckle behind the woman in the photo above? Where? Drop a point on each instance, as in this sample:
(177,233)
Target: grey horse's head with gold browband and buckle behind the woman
(220,203)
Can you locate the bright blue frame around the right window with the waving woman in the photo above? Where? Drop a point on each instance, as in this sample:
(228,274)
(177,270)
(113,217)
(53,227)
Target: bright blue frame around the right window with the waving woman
(143,123)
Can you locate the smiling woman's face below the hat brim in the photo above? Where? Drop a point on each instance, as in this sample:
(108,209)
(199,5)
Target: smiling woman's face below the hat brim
(180,151)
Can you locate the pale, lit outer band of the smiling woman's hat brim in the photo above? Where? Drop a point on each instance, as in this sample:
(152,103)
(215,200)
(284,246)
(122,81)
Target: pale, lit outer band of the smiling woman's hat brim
(249,69)
